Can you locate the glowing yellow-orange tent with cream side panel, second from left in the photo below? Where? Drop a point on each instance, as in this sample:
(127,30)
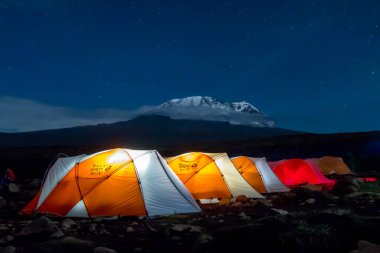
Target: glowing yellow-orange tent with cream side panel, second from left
(210,175)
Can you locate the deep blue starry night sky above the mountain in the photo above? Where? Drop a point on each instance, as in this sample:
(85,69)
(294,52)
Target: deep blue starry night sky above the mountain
(309,65)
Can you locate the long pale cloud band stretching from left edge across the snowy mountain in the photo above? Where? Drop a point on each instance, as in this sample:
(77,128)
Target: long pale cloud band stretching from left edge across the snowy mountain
(20,115)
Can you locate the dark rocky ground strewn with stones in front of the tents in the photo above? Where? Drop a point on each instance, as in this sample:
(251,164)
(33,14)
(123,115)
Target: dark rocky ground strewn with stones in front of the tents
(302,220)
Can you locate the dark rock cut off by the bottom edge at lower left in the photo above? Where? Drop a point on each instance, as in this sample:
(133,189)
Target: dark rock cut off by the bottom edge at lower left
(65,244)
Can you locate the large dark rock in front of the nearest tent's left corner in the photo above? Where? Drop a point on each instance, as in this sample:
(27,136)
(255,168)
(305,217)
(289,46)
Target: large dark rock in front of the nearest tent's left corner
(42,227)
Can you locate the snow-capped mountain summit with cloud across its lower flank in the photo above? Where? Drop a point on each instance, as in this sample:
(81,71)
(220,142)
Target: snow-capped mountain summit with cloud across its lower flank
(209,108)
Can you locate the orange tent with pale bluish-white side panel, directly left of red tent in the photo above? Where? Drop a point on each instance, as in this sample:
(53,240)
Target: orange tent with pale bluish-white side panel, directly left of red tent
(258,174)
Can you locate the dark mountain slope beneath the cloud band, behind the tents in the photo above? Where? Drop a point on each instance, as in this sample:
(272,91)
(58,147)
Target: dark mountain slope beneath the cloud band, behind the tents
(146,130)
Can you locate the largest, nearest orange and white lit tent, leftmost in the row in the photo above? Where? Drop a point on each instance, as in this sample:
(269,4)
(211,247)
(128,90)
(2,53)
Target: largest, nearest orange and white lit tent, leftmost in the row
(116,182)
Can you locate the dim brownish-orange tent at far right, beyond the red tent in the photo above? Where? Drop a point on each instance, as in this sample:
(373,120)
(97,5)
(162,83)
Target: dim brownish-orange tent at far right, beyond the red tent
(330,165)
